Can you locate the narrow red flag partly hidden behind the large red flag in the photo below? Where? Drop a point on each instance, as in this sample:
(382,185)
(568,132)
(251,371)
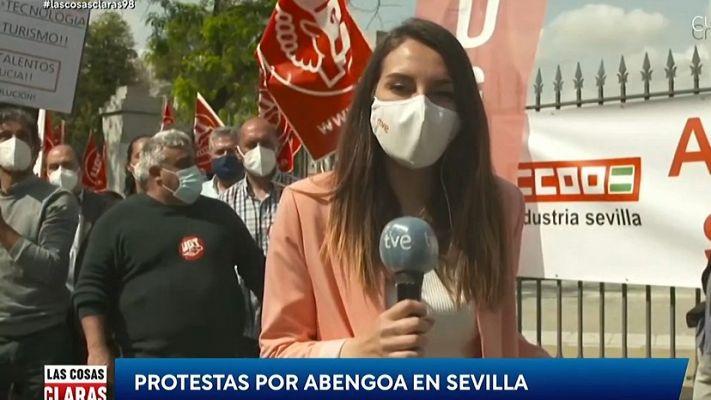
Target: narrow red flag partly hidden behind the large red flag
(288,141)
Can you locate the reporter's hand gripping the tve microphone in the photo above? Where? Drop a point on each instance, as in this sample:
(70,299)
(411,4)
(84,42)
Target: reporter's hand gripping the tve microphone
(399,333)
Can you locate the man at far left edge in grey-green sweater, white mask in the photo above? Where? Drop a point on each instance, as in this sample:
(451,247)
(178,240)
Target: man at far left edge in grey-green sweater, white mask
(37,224)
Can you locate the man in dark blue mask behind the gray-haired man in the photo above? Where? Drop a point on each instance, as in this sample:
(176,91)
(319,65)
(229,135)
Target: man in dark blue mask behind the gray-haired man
(226,167)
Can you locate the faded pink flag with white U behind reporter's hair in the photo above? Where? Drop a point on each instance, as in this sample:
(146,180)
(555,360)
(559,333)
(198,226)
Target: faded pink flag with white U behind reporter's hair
(501,38)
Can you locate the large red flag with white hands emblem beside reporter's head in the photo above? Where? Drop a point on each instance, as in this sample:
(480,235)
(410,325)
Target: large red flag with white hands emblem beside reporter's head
(314,53)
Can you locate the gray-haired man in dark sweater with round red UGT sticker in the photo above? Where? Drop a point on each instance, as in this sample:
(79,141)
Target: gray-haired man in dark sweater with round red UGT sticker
(159,269)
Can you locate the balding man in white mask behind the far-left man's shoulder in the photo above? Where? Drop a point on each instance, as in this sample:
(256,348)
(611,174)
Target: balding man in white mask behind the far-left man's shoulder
(63,170)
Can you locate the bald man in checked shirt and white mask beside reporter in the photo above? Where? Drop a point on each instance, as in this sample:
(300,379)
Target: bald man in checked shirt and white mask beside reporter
(255,197)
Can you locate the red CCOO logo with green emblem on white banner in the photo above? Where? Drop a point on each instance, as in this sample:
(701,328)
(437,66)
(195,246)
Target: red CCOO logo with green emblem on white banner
(613,180)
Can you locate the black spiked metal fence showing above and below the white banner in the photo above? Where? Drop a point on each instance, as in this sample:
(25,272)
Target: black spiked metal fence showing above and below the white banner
(603,289)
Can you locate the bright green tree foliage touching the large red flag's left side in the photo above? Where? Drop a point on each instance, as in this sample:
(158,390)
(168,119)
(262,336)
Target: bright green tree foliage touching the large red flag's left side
(209,48)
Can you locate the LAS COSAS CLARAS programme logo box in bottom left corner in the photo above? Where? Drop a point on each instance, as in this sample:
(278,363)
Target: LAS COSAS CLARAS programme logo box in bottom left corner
(74,382)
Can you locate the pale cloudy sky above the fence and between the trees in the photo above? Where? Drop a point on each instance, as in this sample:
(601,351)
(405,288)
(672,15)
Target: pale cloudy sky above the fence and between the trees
(574,31)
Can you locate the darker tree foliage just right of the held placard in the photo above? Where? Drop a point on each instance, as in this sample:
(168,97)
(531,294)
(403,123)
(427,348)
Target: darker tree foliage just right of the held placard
(109,61)
